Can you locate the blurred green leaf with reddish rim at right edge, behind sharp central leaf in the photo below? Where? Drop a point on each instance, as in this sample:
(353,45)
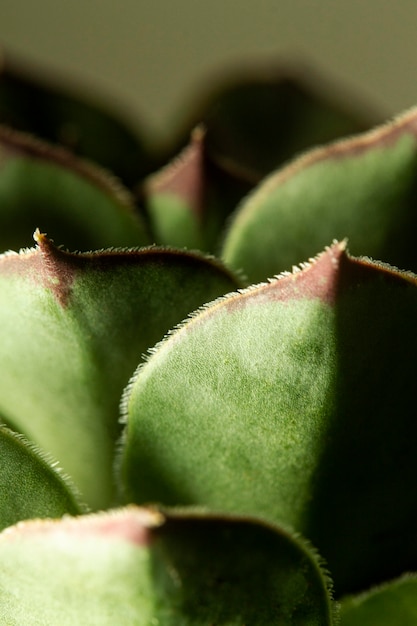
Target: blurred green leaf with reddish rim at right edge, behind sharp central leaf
(363,188)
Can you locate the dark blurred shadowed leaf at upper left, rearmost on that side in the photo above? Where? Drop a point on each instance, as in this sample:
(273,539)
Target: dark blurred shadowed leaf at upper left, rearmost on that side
(32,104)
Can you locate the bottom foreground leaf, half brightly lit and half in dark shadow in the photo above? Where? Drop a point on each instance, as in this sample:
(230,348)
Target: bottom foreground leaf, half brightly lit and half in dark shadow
(137,566)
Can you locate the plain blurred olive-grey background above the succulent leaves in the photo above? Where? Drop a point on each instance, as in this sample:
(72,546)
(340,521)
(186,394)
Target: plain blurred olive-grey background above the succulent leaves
(149,57)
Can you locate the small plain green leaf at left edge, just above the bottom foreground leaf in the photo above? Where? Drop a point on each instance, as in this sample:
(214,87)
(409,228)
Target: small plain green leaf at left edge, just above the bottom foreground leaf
(29,485)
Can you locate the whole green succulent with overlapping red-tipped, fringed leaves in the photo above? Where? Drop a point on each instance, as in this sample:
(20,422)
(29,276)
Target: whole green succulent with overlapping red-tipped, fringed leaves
(207,404)
